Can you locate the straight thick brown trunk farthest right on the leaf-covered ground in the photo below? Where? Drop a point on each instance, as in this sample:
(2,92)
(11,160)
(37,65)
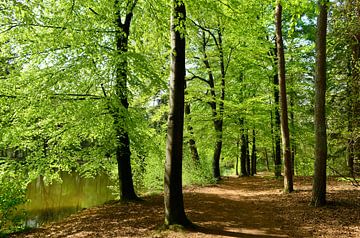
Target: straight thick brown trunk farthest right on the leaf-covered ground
(319,183)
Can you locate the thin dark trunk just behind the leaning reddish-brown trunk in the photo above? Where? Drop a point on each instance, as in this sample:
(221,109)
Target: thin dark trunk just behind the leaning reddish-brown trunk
(276,127)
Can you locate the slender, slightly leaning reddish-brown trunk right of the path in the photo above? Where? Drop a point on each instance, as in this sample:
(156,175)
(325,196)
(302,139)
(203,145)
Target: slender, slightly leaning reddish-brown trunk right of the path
(285,136)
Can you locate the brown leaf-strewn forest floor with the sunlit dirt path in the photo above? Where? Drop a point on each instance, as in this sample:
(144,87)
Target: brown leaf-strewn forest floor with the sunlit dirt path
(236,207)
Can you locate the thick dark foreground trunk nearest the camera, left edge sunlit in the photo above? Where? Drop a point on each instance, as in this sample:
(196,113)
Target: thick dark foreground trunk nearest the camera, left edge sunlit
(173,196)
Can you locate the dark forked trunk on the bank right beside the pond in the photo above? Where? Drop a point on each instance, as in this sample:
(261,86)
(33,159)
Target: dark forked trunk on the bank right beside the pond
(123,154)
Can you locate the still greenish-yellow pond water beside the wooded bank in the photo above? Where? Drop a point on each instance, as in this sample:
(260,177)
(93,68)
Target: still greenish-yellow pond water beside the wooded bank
(58,200)
